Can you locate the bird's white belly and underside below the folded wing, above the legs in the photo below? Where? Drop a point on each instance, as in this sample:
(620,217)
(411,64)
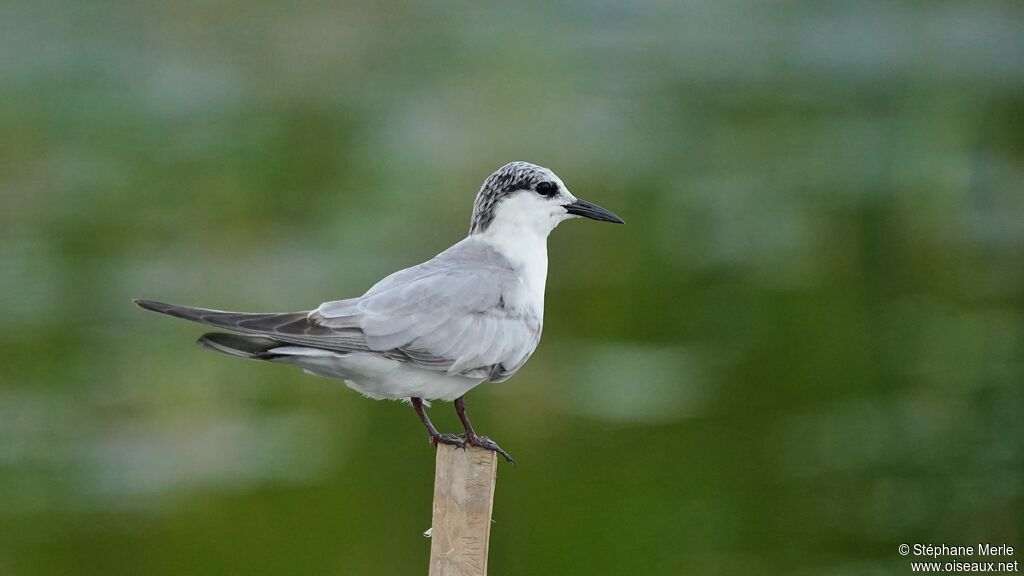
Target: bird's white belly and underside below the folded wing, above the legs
(379,378)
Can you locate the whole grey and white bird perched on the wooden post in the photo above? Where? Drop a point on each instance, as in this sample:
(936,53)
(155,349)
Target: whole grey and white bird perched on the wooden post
(434,332)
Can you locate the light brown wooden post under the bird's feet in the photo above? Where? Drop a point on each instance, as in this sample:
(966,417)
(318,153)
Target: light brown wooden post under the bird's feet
(464,497)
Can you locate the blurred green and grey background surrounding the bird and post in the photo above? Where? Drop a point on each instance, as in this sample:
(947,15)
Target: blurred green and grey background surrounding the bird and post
(805,348)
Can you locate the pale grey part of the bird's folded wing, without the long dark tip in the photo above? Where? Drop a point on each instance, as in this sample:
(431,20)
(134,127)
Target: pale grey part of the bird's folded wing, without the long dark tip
(449,314)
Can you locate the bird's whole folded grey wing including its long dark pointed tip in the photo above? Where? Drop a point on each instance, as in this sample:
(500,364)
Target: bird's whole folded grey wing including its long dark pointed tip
(449,314)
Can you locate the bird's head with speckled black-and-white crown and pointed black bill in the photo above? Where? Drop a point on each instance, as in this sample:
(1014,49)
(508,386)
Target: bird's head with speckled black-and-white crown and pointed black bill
(521,195)
